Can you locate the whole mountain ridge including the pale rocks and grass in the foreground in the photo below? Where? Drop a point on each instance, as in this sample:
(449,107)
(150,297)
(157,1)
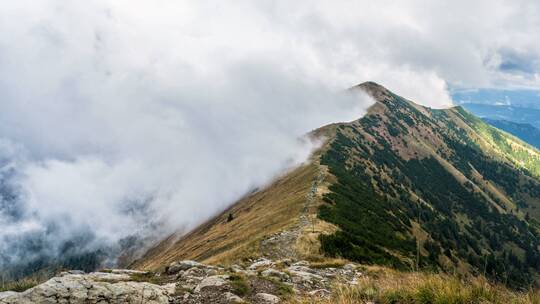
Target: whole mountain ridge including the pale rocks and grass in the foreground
(428,200)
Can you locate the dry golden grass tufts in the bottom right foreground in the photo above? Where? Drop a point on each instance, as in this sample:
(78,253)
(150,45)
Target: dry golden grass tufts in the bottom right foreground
(386,286)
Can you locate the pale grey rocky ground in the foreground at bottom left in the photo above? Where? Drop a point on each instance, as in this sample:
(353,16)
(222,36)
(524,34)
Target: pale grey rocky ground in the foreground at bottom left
(260,281)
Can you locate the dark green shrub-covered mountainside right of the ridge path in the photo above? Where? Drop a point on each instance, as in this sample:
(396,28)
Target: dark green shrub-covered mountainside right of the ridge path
(443,177)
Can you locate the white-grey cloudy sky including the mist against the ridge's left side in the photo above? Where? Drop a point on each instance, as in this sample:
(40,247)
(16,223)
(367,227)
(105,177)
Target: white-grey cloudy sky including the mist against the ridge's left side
(178,108)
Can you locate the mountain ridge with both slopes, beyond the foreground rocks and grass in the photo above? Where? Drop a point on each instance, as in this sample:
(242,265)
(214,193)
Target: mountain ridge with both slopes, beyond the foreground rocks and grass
(405,186)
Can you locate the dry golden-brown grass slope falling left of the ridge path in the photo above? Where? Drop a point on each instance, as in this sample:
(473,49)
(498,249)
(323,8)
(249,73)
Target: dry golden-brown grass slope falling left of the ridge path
(218,241)
